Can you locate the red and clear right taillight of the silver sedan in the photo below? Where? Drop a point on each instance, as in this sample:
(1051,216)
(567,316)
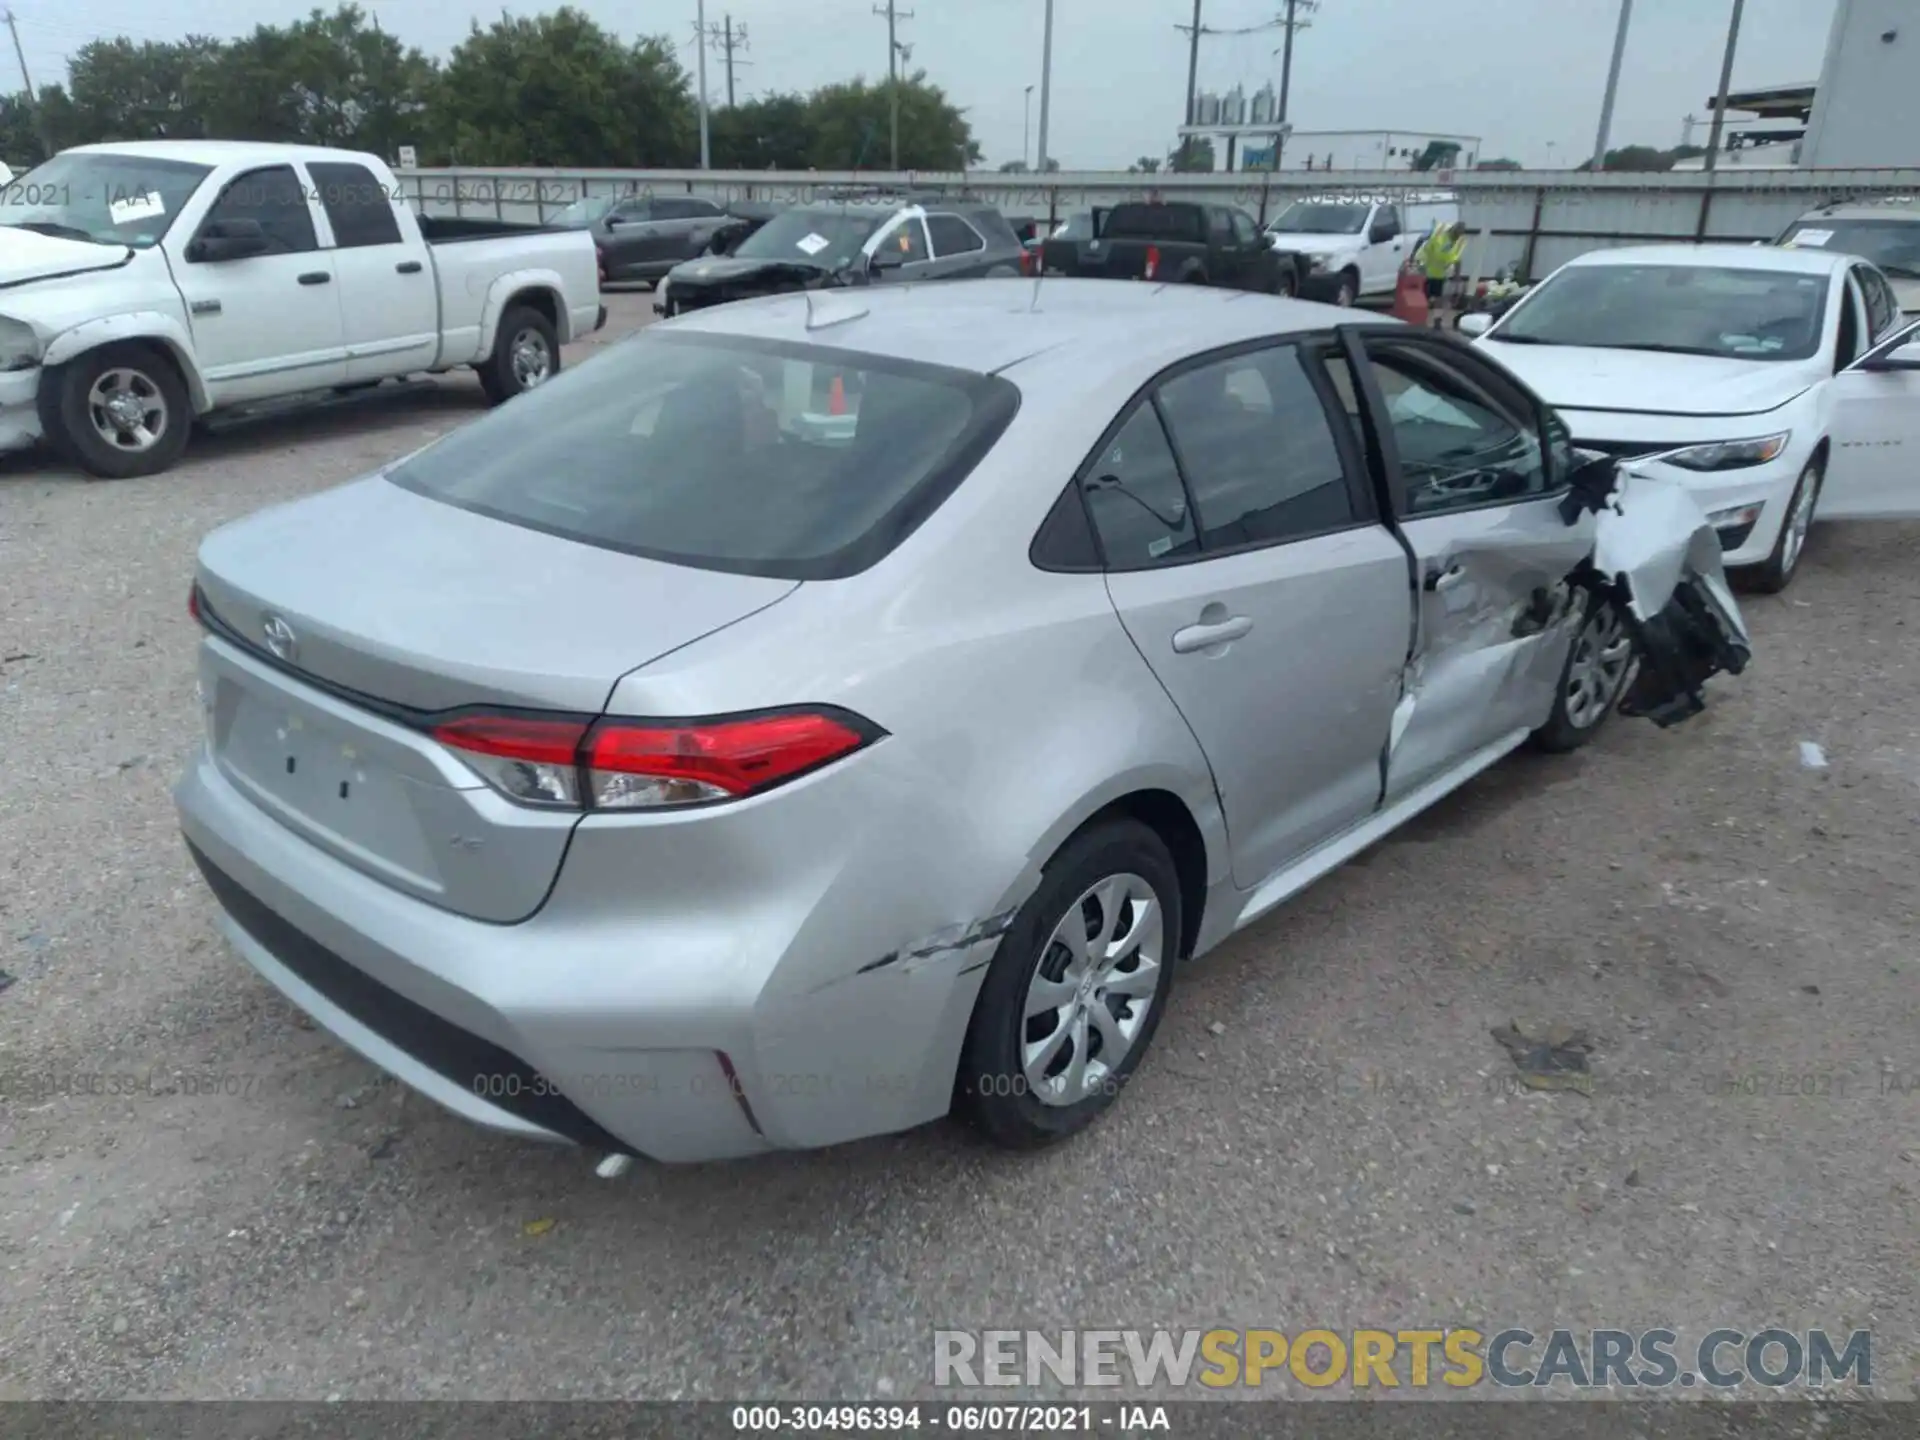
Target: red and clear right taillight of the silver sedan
(633,765)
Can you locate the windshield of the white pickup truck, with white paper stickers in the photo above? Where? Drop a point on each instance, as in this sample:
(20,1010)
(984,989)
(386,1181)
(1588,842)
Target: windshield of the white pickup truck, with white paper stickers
(101,197)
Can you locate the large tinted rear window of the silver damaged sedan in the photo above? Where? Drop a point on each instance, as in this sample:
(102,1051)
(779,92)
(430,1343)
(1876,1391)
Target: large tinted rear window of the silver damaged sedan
(725,454)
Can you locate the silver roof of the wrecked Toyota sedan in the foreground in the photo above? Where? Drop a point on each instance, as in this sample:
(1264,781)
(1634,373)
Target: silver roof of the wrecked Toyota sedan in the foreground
(1076,327)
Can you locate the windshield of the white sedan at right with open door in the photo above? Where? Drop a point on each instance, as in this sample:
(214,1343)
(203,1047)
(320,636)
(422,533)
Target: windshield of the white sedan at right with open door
(1691,310)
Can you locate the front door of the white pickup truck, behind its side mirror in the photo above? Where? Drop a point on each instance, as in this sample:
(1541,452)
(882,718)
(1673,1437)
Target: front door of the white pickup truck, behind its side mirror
(266,325)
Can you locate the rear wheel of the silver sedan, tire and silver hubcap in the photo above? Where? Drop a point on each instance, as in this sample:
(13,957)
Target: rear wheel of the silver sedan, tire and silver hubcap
(1076,990)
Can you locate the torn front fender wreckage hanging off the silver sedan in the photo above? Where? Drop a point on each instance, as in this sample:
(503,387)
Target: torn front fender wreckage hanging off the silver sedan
(1660,560)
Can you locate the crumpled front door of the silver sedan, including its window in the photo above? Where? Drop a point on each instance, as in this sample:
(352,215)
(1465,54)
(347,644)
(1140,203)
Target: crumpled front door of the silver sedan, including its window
(1476,485)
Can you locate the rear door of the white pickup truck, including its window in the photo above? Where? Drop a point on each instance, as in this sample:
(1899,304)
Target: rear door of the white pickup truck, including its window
(389,304)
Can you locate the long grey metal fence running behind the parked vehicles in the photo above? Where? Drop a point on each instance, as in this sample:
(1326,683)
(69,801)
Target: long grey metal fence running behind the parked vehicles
(1529,220)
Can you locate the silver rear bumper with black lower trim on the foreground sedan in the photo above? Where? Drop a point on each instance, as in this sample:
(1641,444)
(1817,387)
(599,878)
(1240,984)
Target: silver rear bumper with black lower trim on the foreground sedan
(681,1026)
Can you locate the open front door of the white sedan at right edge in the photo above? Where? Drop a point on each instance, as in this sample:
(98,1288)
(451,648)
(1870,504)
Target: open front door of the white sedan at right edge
(1873,471)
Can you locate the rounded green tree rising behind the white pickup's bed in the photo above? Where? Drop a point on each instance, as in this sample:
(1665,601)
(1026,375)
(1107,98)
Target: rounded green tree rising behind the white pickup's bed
(562,91)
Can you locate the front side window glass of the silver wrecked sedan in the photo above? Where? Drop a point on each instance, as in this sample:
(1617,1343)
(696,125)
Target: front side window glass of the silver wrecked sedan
(1460,446)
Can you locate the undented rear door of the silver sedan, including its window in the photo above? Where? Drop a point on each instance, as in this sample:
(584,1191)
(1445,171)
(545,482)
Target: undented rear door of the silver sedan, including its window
(1253,575)
